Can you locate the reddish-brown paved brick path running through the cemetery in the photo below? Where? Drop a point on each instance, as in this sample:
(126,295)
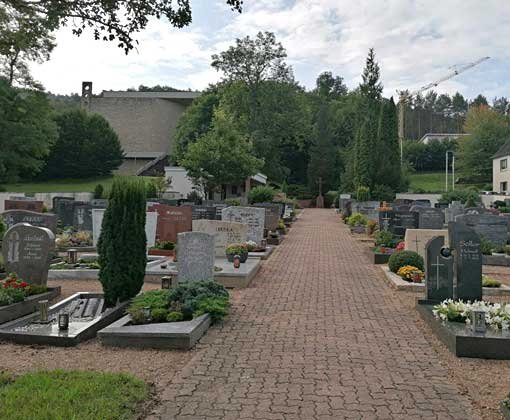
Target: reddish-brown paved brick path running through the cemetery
(318,335)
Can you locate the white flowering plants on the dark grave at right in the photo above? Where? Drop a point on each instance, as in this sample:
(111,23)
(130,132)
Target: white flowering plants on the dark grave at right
(497,316)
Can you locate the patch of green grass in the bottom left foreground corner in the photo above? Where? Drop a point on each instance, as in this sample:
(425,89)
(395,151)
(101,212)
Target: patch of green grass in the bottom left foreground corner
(70,395)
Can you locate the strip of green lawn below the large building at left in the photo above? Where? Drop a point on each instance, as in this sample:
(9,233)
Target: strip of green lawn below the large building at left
(60,185)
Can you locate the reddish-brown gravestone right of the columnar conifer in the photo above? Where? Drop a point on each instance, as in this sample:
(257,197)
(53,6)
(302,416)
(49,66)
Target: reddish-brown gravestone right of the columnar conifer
(171,221)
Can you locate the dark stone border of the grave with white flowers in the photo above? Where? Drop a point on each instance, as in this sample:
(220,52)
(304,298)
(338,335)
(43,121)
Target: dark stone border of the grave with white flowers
(461,341)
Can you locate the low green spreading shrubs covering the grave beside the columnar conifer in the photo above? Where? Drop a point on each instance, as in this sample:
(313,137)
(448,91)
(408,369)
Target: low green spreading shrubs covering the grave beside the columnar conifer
(188,301)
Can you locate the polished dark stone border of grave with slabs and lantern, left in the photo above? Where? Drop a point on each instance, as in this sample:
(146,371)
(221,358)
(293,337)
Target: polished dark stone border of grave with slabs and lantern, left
(88,331)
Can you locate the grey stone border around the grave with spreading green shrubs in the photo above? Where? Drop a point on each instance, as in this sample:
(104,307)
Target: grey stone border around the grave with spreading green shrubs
(169,335)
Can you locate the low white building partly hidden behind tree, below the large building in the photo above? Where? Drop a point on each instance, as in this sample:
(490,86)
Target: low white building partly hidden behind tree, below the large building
(181,185)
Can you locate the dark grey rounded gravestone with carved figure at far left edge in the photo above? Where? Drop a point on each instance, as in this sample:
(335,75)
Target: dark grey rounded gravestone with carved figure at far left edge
(26,251)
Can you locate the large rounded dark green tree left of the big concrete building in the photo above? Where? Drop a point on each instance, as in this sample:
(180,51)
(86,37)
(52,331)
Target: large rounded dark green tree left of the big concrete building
(87,146)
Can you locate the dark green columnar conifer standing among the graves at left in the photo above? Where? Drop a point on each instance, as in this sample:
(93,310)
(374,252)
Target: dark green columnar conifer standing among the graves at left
(122,246)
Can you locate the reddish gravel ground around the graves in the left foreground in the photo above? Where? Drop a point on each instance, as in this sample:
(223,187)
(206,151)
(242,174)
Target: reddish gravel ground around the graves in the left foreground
(156,367)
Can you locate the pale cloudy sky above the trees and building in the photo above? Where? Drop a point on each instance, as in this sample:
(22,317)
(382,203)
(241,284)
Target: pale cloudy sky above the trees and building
(416,42)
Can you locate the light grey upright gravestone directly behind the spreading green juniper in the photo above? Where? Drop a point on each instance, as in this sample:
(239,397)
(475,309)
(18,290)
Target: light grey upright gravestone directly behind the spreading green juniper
(195,256)
